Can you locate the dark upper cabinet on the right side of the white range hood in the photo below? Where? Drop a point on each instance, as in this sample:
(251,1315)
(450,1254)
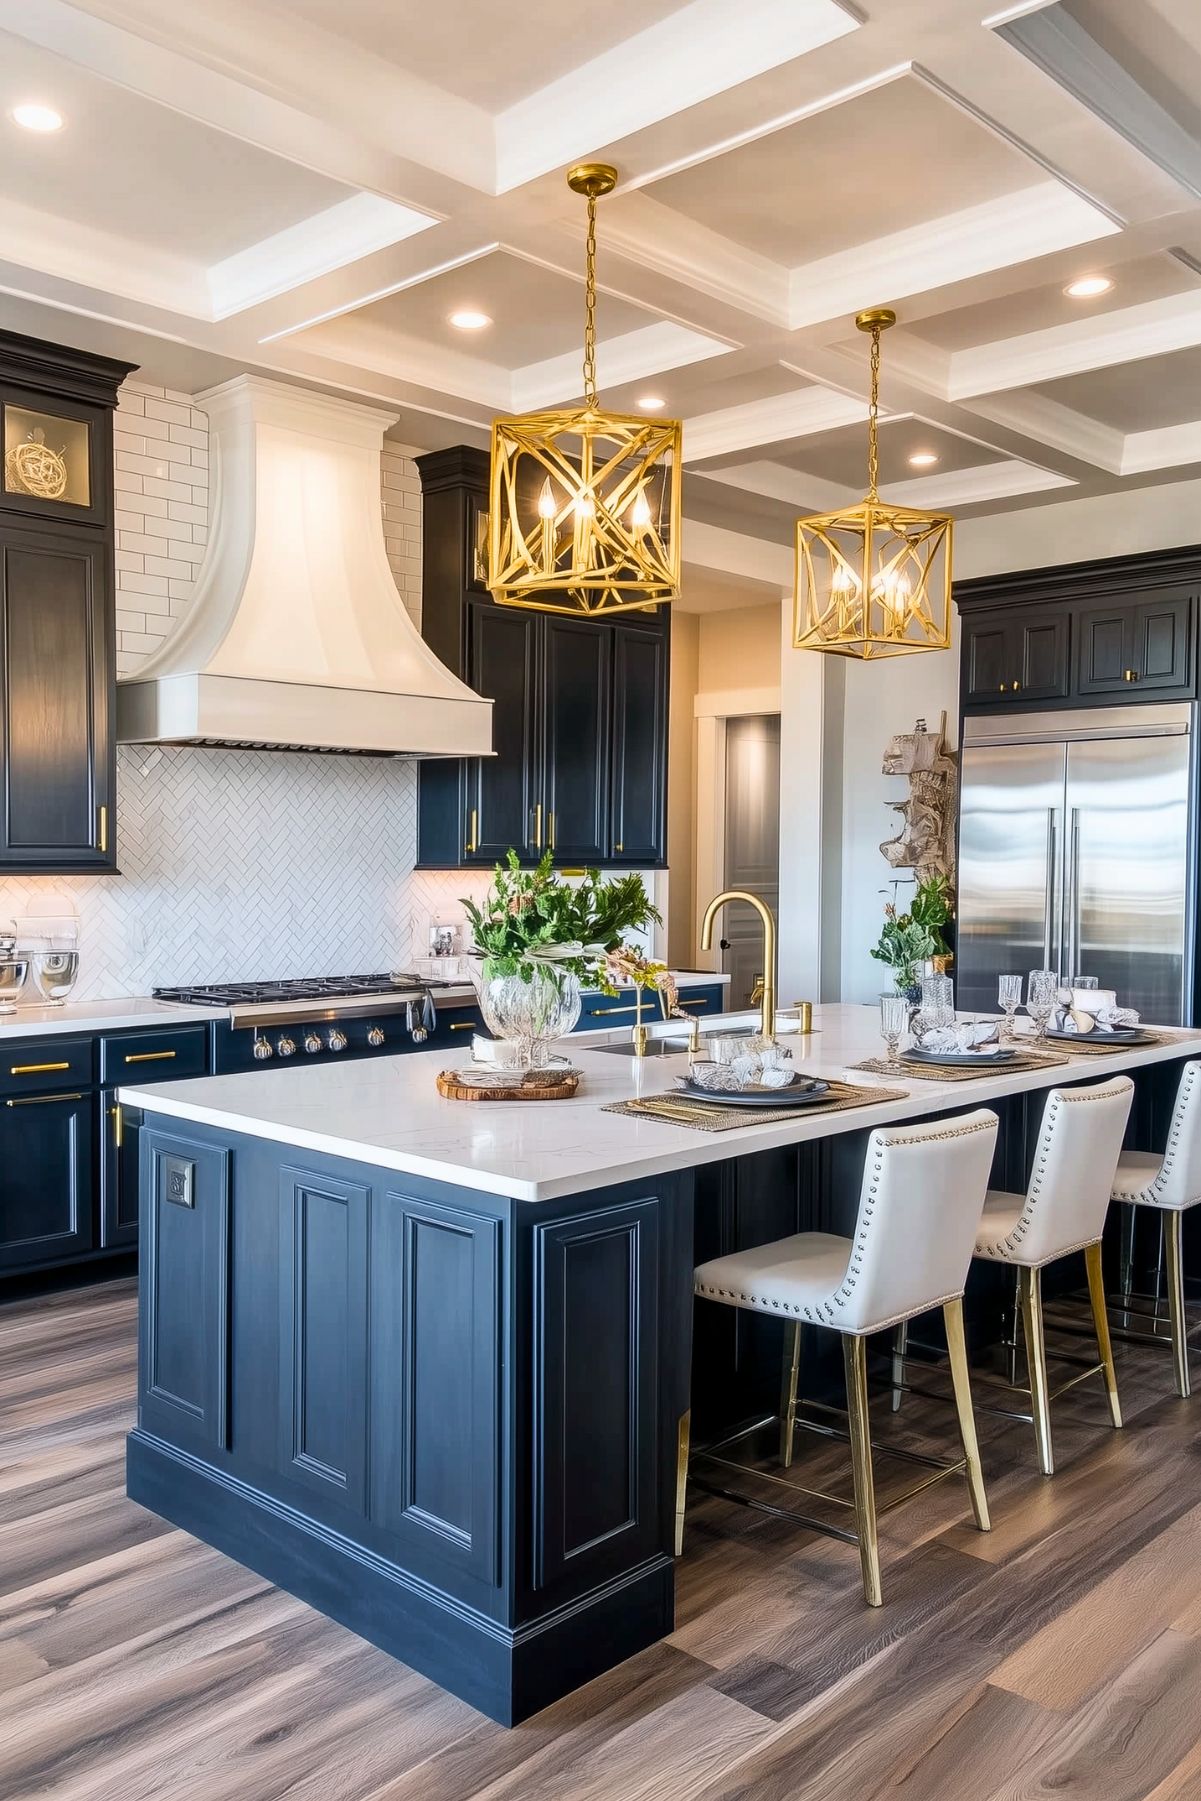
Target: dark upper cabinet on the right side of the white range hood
(581,716)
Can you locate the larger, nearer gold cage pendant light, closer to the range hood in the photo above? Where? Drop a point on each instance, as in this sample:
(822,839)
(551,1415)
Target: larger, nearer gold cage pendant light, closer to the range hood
(586,507)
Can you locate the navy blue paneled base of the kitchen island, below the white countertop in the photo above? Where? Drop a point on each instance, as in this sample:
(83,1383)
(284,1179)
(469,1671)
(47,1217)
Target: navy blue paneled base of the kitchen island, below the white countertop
(444,1418)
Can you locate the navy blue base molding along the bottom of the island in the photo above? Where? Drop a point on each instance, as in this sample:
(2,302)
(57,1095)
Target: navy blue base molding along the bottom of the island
(509,1674)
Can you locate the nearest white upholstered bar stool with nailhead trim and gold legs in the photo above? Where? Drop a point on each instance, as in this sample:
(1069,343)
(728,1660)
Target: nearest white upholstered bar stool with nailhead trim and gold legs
(919,1208)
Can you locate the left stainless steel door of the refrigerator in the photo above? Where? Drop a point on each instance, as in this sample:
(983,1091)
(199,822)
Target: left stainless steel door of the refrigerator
(1011,867)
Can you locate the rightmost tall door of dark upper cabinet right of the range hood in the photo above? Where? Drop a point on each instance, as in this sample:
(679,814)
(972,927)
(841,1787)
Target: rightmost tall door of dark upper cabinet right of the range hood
(640,745)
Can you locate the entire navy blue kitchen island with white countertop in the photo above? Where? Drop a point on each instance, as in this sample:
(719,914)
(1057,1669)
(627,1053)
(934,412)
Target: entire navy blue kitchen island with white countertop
(424,1364)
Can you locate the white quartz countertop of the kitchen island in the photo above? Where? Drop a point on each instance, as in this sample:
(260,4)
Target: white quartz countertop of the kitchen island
(390,1114)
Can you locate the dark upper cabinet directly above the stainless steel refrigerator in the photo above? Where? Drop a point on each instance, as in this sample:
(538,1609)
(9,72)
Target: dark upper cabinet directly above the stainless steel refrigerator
(1083,635)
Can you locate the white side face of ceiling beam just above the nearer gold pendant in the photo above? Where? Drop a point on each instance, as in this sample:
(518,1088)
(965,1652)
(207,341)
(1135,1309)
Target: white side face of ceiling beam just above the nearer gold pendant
(709,48)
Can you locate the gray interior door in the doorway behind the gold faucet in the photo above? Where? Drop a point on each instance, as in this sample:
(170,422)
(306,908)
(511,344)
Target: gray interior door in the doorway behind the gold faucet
(752,844)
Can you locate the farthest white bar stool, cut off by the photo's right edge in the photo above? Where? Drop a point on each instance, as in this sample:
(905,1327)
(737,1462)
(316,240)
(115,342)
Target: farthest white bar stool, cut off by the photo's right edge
(1169,1184)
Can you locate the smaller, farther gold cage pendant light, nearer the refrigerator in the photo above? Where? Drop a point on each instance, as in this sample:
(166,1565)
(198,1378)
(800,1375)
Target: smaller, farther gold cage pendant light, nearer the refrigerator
(874,581)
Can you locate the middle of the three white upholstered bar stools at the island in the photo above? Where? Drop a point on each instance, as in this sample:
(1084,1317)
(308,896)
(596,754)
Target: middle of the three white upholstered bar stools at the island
(1063,1211)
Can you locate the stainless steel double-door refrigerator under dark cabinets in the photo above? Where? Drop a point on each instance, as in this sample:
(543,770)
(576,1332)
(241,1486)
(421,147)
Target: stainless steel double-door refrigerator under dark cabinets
(1076,855)
